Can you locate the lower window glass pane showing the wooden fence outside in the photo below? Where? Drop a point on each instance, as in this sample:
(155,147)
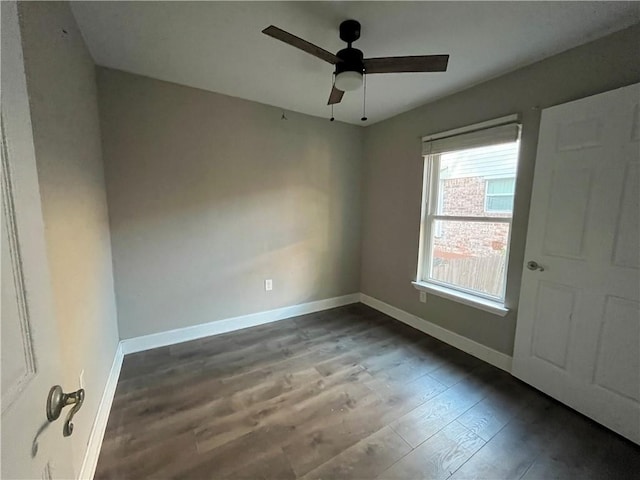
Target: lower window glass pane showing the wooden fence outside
(470,255)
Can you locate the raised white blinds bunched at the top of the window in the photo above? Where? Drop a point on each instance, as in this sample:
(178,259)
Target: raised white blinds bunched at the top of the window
(481,135)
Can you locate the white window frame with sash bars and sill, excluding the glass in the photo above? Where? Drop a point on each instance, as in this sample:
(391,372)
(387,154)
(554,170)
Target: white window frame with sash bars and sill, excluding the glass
(431,191)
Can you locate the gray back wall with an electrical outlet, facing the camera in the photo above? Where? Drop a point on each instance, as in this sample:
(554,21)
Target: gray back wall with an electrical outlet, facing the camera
(209,195)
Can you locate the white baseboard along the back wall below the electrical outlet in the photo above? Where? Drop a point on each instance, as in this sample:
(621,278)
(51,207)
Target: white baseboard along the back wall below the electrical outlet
(170,337)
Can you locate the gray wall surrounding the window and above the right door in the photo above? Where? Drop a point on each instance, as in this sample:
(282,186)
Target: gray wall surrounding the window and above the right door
(393,175)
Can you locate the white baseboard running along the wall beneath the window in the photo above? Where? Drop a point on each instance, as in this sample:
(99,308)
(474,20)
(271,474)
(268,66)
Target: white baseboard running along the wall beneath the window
(489,355)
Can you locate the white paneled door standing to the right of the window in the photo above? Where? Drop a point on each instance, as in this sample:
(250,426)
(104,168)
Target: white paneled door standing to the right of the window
(578,331)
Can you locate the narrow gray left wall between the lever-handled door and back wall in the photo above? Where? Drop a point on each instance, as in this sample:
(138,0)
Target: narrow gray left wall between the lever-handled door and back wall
(64,112)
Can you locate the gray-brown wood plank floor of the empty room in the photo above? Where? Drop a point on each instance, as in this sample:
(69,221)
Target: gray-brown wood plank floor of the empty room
(346,393)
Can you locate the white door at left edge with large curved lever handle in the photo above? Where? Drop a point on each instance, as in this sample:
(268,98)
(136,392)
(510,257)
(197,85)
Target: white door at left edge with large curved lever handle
(31,446)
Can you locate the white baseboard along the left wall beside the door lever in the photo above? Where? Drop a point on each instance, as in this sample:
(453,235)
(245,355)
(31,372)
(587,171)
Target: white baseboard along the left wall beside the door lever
(94,445)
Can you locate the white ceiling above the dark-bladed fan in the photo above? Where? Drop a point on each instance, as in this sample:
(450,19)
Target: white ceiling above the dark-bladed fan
(218,46)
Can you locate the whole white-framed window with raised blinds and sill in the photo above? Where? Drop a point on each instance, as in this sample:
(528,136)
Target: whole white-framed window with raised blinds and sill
(468,197)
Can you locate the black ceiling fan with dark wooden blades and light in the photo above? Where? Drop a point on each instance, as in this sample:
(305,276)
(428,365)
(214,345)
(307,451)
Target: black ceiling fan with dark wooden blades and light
(350,62)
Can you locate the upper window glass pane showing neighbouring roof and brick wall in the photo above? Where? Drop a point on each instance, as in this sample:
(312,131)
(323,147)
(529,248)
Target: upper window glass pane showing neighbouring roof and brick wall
(468,178)
